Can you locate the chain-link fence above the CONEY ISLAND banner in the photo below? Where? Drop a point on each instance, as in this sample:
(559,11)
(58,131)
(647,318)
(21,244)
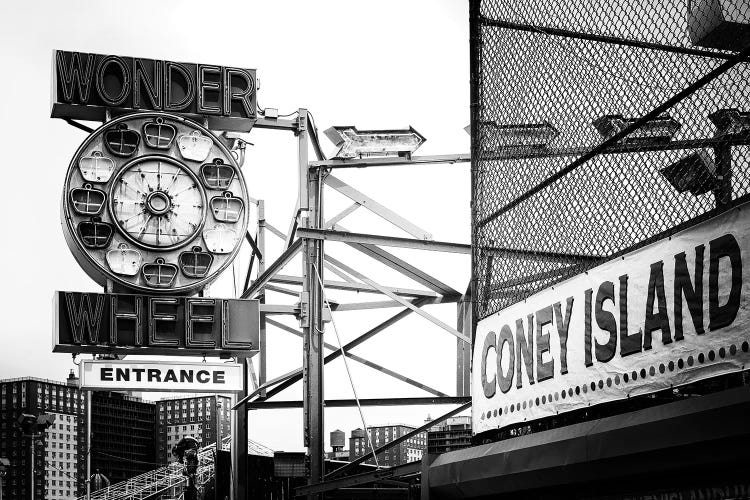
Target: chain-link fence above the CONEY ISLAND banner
(568,170)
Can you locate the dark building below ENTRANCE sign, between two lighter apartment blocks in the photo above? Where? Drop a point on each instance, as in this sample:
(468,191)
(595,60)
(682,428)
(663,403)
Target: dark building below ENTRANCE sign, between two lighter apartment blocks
(123,435)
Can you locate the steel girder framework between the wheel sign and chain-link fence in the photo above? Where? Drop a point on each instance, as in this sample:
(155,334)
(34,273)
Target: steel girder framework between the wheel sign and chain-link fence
(308,232)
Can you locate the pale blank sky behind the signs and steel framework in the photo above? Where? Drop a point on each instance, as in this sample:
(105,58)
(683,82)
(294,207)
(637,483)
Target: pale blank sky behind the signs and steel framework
(377,64)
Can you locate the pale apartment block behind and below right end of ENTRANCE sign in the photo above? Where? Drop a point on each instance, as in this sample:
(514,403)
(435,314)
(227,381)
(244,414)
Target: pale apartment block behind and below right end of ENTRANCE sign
(204,418)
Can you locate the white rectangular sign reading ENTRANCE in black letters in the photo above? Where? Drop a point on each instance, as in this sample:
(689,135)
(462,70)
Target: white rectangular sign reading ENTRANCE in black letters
(160,376)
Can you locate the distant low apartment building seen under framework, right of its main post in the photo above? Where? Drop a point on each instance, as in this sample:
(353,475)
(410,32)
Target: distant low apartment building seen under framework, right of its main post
(409,450)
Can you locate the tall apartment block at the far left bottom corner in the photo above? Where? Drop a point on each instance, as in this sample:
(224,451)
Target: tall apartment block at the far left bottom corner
(59,459)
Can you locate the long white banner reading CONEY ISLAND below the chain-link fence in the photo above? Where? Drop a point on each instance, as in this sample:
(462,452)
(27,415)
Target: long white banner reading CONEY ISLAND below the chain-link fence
(671,313)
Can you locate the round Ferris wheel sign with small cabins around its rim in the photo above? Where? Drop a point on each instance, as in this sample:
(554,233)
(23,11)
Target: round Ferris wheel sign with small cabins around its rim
(154,203)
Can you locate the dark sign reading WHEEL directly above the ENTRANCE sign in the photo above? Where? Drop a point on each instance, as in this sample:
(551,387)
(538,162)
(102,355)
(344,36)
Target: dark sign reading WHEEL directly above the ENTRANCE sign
(136,324)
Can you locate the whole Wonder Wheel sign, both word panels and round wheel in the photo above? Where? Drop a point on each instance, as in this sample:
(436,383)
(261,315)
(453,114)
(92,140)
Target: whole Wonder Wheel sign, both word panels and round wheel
(154,206)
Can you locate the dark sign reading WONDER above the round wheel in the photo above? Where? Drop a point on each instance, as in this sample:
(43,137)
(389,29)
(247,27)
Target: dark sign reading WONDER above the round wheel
(86,86)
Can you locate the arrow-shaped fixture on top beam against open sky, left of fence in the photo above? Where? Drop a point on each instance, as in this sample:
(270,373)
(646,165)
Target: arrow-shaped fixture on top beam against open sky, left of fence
(353,143)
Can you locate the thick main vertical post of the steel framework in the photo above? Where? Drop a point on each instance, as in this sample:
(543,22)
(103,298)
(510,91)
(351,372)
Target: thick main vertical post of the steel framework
(311,302)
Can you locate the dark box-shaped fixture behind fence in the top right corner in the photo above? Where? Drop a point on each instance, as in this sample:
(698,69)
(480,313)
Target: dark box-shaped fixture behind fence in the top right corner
(718,24)
